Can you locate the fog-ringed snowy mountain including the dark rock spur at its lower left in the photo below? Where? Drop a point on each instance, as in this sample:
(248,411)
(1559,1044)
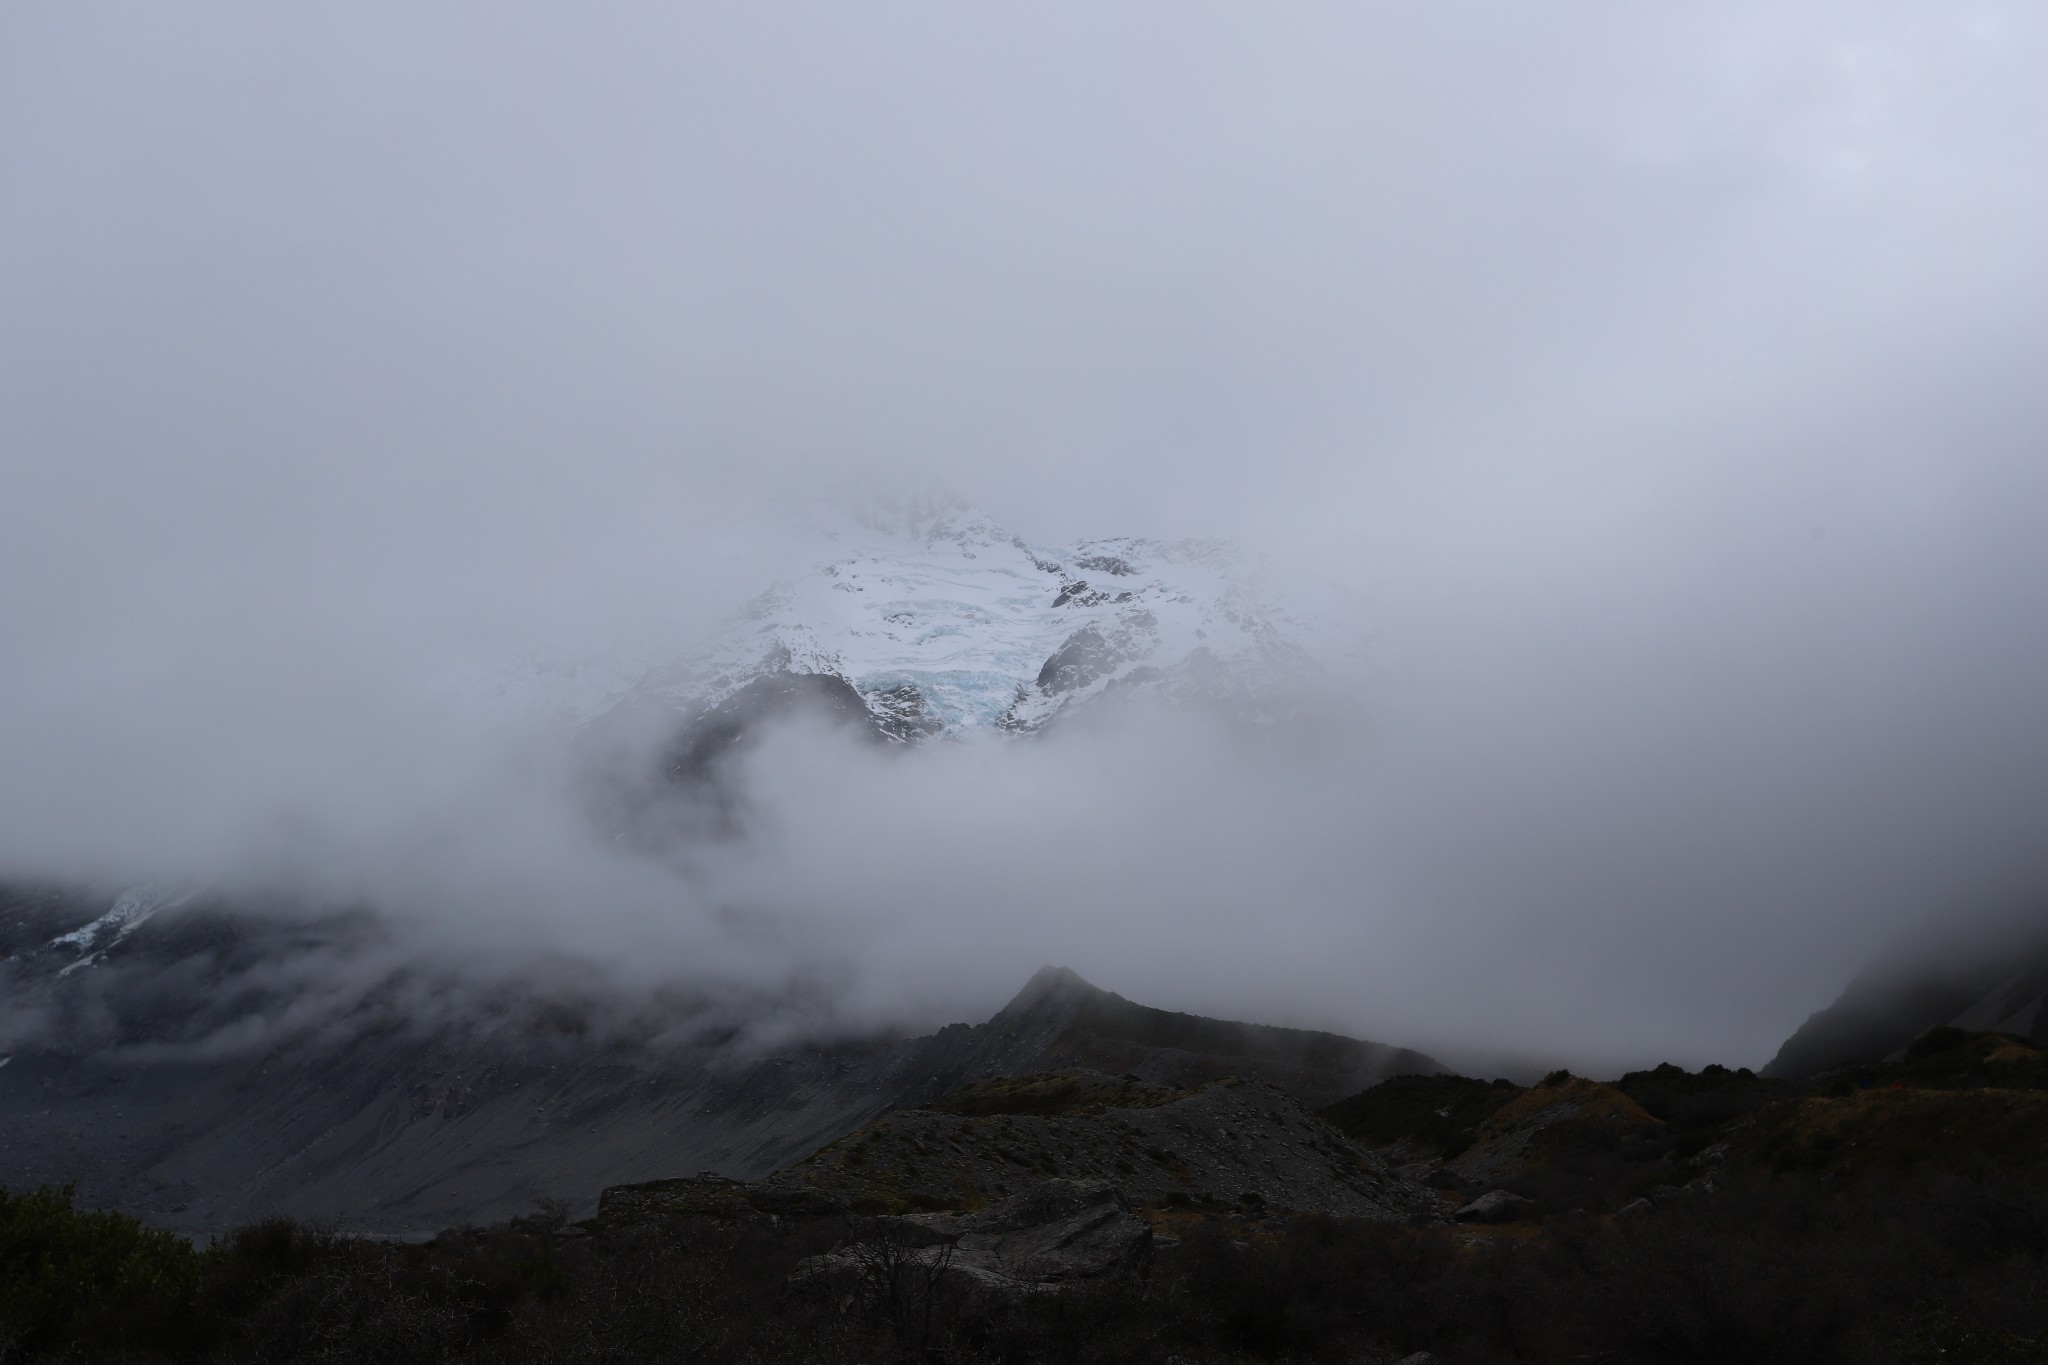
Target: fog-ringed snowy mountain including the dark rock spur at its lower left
(923,621)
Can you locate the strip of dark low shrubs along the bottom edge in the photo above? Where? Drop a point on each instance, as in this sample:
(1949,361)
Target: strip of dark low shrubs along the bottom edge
(1766,1274)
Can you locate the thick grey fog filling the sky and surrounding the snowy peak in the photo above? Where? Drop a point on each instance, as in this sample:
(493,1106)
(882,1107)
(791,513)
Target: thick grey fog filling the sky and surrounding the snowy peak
(1660,390)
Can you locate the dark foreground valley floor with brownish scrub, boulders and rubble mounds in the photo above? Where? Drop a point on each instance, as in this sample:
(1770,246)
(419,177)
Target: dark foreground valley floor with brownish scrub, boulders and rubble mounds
(1885,1215)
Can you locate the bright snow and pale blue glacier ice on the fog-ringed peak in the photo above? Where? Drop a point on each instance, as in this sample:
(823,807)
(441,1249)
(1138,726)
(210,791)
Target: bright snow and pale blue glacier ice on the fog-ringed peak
(949,625)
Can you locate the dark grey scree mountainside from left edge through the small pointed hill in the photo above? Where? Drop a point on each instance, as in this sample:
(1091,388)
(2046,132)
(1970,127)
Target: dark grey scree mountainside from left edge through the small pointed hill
(142,1065)
